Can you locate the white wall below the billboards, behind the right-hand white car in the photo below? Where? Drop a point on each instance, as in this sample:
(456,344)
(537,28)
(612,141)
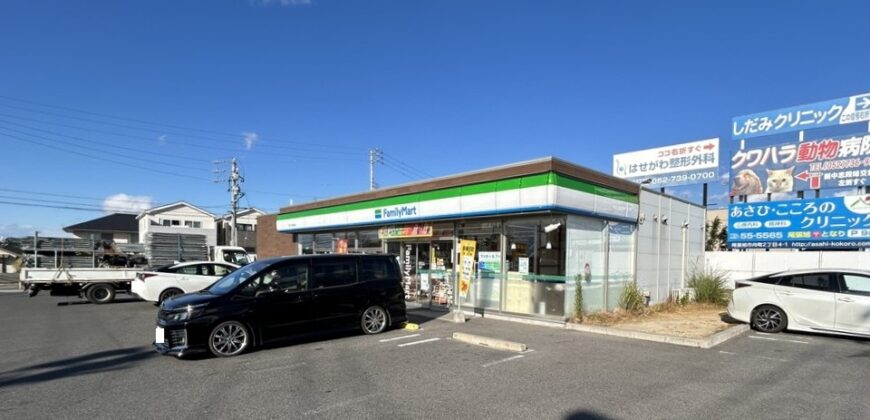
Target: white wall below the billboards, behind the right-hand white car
(744,265)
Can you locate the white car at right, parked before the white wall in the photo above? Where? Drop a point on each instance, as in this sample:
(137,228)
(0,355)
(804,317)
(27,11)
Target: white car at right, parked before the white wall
(833,301)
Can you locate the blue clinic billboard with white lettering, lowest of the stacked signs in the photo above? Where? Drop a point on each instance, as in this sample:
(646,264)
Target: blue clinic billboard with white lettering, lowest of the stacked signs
(836,222)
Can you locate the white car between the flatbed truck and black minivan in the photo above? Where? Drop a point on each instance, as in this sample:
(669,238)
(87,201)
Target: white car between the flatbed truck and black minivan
(186,277)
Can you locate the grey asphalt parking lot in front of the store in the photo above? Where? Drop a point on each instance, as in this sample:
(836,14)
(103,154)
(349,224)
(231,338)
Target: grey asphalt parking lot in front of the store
(80,360)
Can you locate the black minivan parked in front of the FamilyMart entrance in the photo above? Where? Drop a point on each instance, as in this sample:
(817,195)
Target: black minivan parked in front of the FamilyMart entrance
(280,297)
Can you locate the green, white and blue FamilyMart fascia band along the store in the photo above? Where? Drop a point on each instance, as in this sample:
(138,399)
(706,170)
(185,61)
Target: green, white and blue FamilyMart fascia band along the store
(541,192)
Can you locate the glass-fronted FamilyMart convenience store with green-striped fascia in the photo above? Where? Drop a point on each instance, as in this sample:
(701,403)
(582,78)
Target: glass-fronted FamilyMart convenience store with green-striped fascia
(535,227)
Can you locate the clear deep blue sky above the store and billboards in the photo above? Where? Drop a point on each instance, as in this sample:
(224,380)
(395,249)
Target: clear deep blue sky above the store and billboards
(104,98)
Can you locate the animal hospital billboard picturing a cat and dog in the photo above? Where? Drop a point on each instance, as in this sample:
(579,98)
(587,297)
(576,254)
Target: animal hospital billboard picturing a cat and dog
(811,164)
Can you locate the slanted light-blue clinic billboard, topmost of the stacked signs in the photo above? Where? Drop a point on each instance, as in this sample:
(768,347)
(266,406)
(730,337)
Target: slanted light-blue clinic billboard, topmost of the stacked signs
(839,111)
